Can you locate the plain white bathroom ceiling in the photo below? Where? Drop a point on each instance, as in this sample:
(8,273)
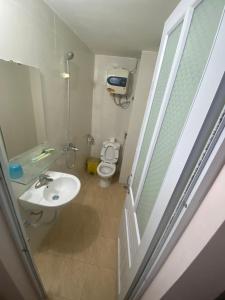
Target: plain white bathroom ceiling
(116,27)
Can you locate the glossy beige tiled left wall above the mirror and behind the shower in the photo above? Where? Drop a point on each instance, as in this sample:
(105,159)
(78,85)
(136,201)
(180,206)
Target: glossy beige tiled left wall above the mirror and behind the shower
(32,34)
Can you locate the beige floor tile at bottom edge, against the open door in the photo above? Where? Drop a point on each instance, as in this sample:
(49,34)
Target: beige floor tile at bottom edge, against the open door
(100,284)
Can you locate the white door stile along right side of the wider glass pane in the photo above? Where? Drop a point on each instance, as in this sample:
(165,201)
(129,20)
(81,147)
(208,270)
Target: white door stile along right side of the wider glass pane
(201,104)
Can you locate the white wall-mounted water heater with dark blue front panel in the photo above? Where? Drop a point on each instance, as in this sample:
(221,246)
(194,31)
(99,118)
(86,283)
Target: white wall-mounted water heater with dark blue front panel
(117,81)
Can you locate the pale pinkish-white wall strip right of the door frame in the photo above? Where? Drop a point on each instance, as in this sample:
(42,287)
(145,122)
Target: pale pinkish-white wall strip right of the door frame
(205,223)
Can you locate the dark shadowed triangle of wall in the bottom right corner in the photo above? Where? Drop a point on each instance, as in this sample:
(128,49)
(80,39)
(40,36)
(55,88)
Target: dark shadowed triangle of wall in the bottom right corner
(204,279)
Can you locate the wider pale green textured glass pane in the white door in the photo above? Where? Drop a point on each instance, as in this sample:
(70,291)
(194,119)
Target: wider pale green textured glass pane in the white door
(197,49)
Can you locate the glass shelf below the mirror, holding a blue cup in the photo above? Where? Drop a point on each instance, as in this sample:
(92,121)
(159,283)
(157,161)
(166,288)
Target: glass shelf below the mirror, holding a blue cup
(32,169)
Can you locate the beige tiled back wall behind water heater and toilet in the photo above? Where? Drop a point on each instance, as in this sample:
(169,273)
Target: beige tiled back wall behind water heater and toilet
(108,120)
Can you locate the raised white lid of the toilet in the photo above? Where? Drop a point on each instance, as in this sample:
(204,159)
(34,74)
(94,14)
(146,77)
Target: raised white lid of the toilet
(110,152)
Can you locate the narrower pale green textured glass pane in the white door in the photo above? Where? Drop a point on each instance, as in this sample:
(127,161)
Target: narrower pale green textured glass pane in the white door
(159,92)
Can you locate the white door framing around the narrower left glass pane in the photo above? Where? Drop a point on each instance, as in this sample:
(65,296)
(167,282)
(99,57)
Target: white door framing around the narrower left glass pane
(184,18)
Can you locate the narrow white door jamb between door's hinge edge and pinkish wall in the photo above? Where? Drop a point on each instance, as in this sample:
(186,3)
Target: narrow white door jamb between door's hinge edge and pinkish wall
(174,231)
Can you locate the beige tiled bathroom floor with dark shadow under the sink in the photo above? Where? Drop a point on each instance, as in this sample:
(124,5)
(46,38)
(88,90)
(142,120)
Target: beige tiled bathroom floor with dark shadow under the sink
(78,259)
